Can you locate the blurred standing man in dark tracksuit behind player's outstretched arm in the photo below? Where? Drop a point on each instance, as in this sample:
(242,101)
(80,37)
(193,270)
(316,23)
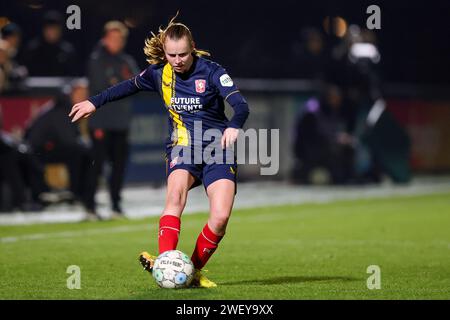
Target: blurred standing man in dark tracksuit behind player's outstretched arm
(109,65)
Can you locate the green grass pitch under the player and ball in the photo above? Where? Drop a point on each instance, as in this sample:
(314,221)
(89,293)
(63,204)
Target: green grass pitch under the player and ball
(311,251)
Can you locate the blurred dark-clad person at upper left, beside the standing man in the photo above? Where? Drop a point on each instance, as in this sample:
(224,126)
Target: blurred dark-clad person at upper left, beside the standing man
(49,55)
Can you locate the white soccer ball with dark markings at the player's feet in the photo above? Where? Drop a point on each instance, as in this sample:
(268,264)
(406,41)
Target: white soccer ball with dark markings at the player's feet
(173,269)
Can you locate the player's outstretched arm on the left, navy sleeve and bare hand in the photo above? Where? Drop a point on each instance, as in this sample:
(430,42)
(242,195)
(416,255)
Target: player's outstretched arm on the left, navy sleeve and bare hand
(143,81)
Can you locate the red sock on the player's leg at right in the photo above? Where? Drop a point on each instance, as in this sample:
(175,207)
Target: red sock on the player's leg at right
(207,243)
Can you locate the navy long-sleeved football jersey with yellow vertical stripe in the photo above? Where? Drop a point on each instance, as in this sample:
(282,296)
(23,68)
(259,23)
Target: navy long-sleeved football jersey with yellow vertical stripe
(194,96)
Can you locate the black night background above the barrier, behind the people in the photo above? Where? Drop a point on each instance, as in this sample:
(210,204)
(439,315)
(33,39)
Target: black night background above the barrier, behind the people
(253,38)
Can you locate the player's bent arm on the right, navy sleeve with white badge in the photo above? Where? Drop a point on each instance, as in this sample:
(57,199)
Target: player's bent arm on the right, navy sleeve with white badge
(233,96)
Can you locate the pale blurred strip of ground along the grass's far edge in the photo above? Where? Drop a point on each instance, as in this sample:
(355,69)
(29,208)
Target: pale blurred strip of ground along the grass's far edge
(143,202)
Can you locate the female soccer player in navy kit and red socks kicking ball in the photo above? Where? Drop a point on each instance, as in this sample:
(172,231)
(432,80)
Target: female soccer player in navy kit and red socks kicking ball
(193,90)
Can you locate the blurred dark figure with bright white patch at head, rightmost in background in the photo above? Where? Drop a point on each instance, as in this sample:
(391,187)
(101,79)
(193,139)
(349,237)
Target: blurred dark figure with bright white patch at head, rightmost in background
(383,145)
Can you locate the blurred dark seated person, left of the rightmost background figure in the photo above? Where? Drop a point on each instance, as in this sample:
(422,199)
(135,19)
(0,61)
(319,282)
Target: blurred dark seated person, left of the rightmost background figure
(322,143)
